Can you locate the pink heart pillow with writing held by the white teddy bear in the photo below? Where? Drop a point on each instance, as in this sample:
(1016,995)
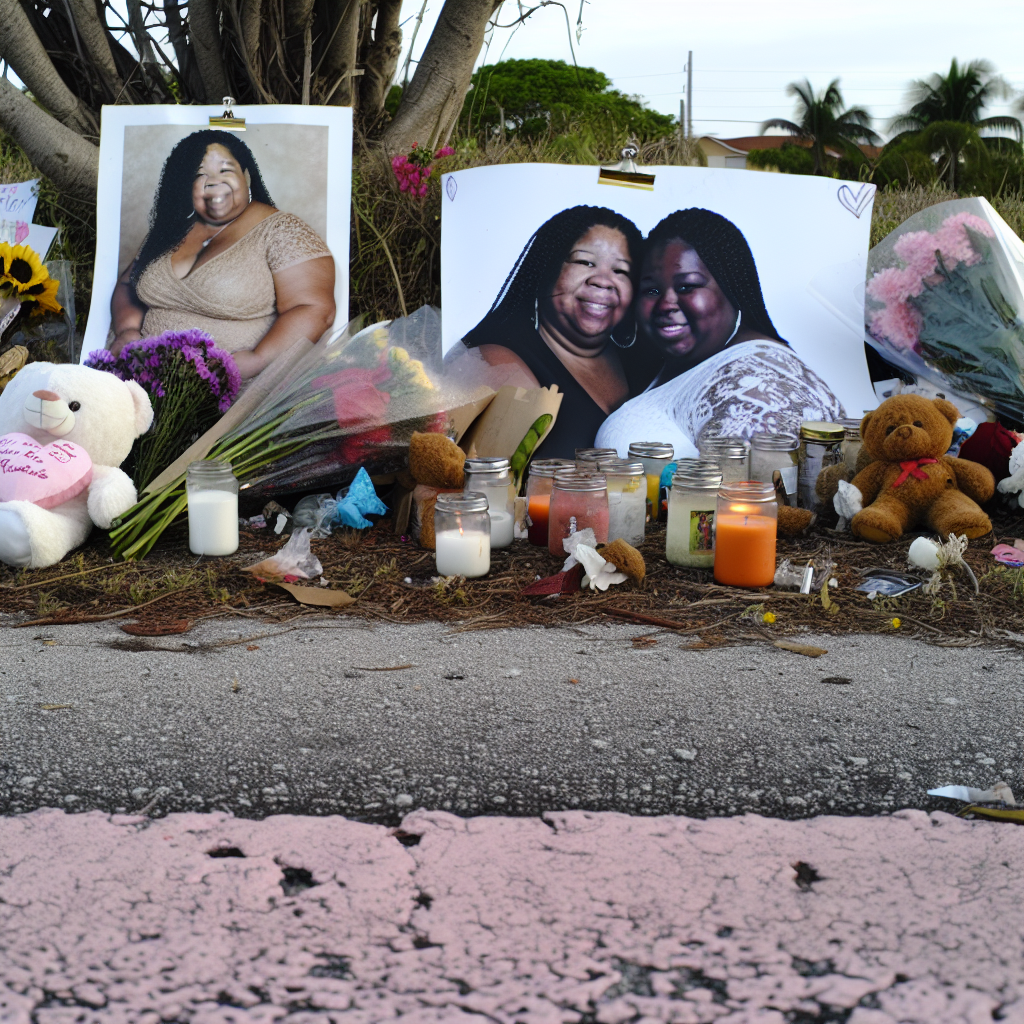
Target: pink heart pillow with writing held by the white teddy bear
(47,477)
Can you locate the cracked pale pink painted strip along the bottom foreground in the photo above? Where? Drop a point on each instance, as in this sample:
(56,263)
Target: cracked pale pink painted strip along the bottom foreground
(589,918)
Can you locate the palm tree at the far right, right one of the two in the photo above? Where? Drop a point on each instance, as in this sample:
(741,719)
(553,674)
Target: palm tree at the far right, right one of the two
(961,96)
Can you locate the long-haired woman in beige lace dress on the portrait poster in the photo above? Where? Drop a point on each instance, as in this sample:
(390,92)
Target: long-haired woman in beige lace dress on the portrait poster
(222,259)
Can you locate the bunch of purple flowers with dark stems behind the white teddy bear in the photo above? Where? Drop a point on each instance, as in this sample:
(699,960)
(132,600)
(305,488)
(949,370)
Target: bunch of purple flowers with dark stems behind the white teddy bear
(191,382)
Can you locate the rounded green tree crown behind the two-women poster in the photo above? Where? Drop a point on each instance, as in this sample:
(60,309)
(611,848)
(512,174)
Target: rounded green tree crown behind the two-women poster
(530,98)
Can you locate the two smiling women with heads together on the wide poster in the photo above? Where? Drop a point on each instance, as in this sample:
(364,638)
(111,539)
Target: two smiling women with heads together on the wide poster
(664,338)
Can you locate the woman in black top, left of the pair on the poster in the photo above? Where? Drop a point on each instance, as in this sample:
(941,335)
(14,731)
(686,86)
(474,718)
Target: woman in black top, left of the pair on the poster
(565,318)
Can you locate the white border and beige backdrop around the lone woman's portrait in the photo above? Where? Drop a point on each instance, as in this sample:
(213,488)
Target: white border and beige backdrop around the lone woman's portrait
(305,156)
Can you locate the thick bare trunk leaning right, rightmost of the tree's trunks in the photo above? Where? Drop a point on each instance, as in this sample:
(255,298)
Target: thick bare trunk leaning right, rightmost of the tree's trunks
(432,105)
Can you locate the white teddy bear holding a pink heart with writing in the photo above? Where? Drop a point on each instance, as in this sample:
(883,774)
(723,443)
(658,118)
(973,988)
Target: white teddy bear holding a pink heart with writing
(65,431)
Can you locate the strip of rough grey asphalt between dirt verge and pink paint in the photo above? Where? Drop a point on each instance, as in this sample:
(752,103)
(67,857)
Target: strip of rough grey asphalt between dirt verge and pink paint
(372,721)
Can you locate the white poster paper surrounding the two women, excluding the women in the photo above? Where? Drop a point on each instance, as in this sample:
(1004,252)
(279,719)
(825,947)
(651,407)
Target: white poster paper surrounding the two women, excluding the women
(809,238)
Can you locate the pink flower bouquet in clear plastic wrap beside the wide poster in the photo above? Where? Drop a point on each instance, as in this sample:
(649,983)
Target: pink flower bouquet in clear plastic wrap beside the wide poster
(945,302)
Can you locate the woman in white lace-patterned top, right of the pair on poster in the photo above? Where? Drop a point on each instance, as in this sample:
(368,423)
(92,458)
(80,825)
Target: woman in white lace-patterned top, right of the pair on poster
(726,371)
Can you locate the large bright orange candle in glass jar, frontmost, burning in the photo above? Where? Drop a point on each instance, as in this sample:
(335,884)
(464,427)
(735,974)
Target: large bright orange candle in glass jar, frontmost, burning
(746,521)
